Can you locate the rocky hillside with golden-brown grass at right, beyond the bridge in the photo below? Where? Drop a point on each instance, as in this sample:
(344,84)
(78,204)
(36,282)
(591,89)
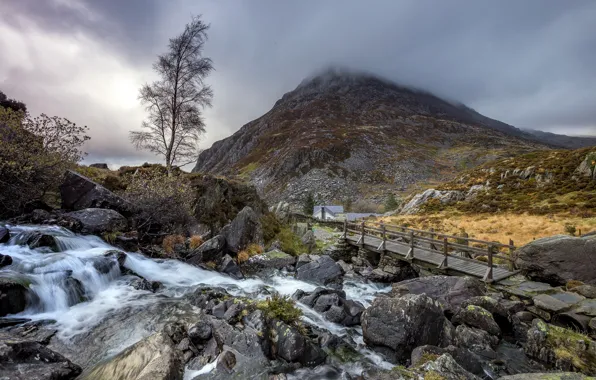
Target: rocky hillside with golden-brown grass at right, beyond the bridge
(540,182)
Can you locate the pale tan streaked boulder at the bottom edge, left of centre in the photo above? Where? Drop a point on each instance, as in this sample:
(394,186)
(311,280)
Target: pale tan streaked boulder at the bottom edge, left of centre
(155,358)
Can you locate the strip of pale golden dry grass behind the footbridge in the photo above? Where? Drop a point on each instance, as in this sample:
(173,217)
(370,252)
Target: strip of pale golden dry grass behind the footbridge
(522,229)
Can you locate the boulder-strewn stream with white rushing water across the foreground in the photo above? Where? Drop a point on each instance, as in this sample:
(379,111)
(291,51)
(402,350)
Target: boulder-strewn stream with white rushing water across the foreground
(76,306)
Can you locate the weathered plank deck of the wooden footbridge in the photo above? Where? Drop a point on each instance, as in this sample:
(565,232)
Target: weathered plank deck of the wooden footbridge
(429,257)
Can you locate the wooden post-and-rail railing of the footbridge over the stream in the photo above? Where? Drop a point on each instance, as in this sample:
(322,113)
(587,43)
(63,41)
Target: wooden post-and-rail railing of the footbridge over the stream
(469,249)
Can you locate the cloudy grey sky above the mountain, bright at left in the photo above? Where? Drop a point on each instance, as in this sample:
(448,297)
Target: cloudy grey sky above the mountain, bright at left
(529,63)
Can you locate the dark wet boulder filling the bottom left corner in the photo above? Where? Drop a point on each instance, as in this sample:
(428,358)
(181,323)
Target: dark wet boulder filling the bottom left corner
(22,359)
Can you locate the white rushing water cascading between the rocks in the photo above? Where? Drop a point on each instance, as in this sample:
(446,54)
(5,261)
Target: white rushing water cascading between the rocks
(82,292)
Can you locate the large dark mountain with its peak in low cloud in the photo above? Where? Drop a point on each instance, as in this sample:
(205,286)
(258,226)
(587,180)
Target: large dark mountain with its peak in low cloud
(345,135)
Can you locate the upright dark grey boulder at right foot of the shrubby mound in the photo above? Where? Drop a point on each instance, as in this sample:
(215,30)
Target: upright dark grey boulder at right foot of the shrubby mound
(244,230)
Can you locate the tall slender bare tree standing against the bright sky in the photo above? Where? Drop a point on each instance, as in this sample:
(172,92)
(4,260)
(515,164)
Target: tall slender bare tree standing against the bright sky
(175,102)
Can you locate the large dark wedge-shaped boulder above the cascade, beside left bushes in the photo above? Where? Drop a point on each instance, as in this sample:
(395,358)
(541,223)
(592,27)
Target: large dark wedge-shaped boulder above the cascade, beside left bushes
(79,192)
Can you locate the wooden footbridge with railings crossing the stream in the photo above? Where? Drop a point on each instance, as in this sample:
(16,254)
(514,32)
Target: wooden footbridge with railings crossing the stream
(448,254)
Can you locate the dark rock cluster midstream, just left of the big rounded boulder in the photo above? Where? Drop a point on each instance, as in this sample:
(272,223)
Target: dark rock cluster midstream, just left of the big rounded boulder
(332,304)
